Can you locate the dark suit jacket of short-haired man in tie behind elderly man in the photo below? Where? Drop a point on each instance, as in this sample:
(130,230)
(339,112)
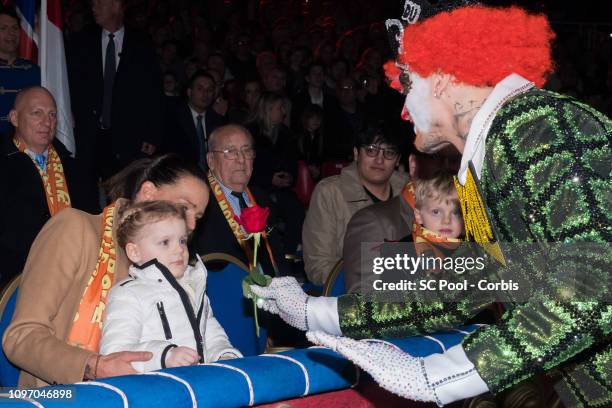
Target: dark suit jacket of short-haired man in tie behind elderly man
(181,135)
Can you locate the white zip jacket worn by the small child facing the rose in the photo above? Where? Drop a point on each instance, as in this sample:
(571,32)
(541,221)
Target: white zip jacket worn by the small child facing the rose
(150,311)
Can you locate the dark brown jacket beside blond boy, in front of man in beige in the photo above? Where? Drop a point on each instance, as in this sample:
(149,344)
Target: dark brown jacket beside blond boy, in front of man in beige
(385,221)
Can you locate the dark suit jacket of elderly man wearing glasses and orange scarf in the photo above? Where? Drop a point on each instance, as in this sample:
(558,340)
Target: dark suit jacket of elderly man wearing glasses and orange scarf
(214,234)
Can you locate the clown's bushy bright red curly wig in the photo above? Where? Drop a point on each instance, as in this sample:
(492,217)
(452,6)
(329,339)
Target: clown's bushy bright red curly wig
(480,45)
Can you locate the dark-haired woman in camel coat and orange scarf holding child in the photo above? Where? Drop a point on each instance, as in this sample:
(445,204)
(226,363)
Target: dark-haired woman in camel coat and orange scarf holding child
(74,261)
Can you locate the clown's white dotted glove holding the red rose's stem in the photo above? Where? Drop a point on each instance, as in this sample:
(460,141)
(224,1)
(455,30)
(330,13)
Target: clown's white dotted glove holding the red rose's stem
(284,297)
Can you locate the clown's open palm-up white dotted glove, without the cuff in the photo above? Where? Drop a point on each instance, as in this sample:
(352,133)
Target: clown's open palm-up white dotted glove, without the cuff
(393,369)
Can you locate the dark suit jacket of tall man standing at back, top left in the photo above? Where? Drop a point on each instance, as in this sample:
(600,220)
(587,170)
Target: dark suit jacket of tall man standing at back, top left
(137,106)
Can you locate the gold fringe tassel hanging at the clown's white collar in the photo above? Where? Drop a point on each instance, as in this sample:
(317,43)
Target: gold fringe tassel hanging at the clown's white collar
(476,221)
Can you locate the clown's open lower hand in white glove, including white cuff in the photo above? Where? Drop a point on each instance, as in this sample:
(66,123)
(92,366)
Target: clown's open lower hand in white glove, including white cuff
(439,378)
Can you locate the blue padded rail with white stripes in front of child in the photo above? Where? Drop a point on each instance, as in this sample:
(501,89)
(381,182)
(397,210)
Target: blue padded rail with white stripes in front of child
(241,382)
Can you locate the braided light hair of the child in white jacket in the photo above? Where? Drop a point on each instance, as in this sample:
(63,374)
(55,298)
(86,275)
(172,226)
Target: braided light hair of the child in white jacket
(134,216)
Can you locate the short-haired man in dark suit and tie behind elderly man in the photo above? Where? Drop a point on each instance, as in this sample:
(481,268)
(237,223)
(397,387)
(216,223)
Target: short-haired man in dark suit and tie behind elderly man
(194,120)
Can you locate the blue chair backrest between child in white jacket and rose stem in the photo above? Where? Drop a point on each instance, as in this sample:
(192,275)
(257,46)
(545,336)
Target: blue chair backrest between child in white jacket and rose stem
(233,311)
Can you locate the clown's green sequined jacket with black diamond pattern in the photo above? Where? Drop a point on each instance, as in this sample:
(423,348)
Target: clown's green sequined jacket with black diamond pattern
(546,178)
